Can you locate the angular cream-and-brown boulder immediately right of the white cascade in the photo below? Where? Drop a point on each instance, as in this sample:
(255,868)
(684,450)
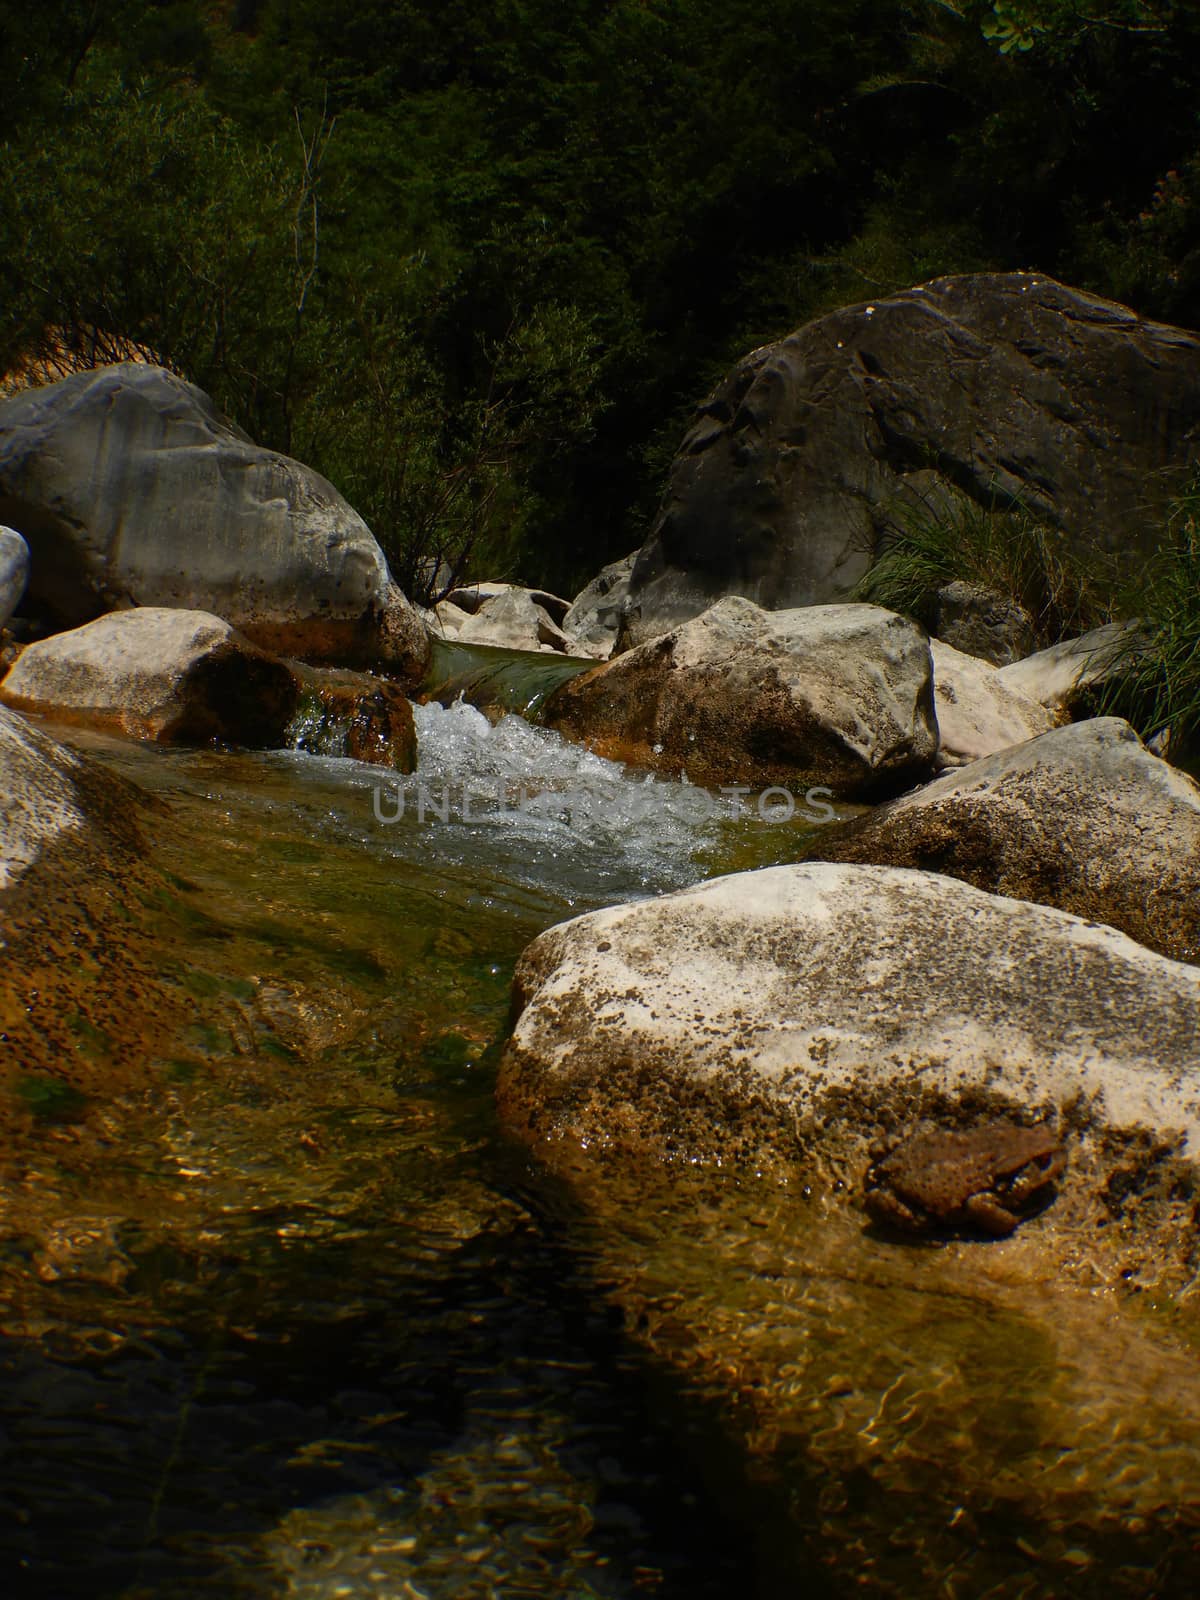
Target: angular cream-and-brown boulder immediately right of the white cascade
(831,695)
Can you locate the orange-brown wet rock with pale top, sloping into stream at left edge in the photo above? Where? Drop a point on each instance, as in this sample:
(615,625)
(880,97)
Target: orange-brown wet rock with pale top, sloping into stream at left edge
(86,1001)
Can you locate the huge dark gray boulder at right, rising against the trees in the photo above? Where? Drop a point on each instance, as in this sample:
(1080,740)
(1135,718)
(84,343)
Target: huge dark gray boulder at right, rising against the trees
(1010,386)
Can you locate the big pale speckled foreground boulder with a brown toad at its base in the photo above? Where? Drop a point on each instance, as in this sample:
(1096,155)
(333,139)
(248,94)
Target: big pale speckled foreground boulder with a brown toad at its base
(796,1012)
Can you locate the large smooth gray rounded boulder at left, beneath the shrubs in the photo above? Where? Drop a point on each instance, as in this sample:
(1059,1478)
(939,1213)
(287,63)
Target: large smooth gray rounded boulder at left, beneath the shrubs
(132,489)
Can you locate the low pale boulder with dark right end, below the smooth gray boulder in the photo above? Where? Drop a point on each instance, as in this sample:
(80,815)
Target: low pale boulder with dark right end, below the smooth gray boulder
(158,674)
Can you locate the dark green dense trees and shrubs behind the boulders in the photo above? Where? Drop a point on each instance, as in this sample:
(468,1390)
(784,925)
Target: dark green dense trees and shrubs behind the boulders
(474,260)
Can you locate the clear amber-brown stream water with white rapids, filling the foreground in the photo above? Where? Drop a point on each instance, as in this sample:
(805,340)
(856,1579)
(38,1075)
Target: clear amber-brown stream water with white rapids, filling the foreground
(303,1322)
